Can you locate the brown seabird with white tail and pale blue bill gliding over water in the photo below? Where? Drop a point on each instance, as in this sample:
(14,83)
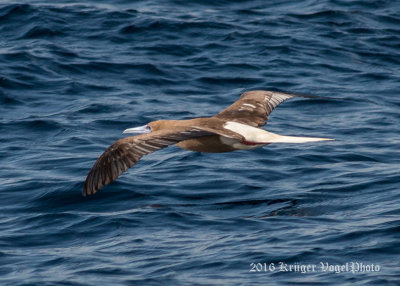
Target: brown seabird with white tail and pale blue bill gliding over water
(238,127)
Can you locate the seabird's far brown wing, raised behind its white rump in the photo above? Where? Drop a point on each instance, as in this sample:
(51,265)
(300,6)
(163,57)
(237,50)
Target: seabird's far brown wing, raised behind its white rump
(254,107)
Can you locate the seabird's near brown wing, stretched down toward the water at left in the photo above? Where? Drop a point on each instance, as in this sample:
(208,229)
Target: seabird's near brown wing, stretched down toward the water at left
(126,152)
